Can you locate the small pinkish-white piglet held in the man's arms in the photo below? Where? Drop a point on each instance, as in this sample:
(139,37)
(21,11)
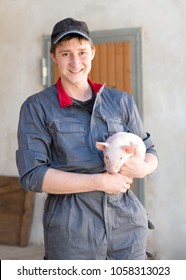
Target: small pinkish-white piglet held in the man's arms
(118,148)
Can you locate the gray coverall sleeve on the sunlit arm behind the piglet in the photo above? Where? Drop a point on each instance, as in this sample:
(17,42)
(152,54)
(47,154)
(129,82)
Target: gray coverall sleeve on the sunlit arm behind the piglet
(135,124)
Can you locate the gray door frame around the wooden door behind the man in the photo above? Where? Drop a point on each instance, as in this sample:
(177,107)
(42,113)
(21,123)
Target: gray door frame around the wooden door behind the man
(132,35)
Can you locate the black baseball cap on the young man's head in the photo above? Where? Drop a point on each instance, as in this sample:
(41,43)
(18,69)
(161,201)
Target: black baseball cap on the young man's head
(69,26)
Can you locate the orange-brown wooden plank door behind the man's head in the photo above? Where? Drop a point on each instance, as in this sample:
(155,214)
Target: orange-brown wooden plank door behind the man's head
(112,65)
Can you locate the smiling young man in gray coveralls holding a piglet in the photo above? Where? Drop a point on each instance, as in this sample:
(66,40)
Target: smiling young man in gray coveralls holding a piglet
(89,214)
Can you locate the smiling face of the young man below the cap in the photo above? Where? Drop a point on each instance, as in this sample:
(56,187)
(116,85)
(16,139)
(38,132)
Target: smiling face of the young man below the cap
(74,58)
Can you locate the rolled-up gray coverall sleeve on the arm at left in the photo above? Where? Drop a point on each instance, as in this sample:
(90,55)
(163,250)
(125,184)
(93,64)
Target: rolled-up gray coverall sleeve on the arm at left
(33,153)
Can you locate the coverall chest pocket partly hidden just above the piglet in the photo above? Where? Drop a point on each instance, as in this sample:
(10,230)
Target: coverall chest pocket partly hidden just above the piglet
(116,125)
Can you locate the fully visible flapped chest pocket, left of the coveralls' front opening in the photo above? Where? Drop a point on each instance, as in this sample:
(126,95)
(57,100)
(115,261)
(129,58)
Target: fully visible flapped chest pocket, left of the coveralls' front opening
(69,141)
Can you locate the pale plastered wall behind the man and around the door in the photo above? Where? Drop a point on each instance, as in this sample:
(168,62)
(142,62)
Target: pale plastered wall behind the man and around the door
(22,24)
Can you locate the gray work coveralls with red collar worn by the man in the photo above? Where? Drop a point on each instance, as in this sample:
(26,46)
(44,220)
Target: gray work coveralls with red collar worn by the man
(92,225)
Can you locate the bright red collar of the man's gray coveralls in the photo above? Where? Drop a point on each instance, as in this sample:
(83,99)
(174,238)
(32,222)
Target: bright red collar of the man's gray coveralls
(65,100)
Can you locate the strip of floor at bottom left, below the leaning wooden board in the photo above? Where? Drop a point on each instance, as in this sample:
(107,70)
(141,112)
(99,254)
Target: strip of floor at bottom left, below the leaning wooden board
(31,252)
